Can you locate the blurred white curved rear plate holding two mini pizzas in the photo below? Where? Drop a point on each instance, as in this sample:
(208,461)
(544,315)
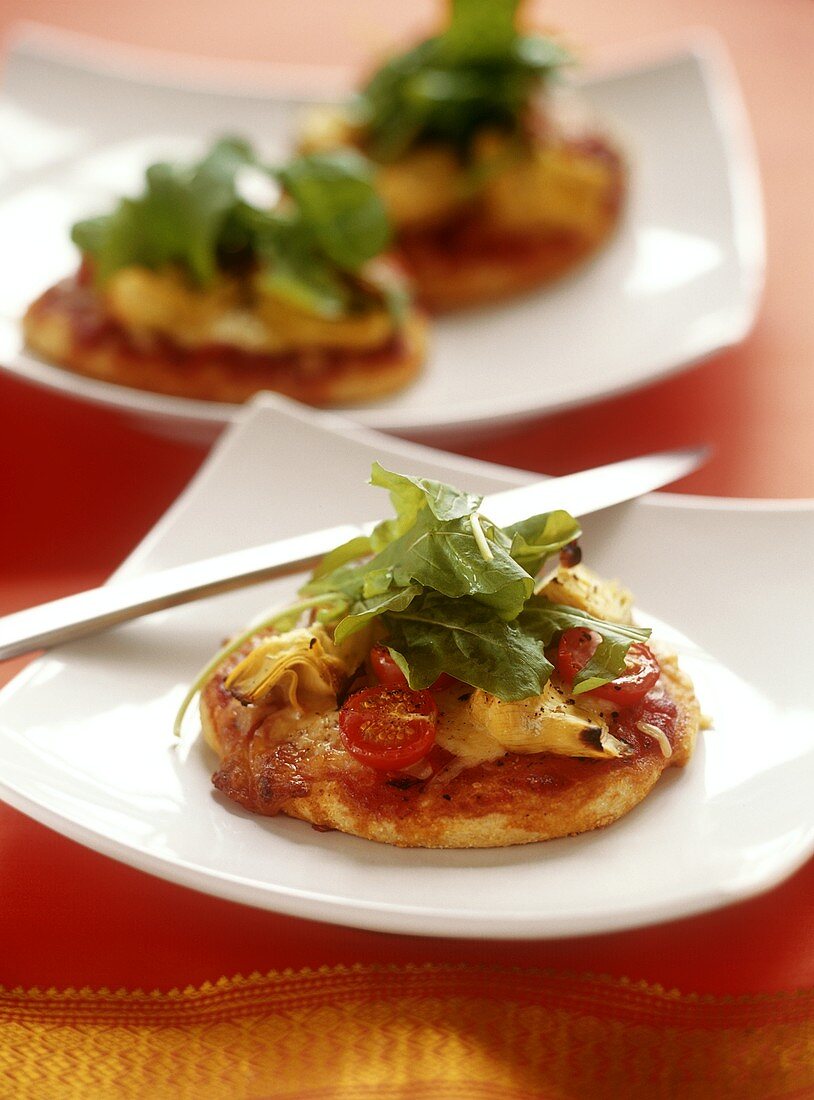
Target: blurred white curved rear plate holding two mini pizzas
(679,282)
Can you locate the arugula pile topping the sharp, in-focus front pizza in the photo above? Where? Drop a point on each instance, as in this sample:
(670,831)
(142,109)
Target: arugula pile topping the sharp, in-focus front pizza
(455,593)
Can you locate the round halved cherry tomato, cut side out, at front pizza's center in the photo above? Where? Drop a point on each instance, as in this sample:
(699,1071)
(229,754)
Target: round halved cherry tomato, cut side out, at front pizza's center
(389,729)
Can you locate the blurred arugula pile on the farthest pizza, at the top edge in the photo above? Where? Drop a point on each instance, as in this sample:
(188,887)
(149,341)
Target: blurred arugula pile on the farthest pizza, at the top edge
(481,71)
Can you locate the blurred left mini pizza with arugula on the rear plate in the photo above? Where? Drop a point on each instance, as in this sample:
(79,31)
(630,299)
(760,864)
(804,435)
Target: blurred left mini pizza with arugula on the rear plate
(192,290)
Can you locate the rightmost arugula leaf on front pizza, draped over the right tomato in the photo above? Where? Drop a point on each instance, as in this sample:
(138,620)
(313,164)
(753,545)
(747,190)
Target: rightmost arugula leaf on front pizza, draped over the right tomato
(546,621)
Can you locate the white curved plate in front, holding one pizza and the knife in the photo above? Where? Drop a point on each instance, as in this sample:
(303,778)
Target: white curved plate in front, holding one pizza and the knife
(87,746)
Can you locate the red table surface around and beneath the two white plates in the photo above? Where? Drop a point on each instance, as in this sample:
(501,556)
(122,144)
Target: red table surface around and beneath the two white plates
(80,487)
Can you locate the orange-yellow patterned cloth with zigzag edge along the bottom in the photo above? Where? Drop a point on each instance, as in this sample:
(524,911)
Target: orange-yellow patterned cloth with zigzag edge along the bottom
(406,1033)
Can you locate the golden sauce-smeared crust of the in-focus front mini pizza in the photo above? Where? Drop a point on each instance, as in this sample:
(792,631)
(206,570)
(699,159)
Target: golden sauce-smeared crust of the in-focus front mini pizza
(305,773)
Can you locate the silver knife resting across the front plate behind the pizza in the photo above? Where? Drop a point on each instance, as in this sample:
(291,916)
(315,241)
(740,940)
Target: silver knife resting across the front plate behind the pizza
(119,601)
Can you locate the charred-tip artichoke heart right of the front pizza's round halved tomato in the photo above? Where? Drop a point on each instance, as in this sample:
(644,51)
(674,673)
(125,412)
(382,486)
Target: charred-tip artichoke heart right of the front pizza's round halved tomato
(546,723)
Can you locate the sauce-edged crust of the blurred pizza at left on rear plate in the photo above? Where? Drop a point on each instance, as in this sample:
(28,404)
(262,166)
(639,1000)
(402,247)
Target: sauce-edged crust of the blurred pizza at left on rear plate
(65,327)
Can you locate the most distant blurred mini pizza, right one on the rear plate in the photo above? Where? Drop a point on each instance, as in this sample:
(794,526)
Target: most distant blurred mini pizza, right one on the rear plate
(491,191)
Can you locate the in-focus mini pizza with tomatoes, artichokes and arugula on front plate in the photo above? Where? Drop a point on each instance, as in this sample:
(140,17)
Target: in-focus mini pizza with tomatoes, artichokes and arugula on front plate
(432,690)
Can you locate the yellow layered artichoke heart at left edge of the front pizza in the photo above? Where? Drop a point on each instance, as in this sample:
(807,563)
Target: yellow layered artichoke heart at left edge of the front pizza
(302,669)
